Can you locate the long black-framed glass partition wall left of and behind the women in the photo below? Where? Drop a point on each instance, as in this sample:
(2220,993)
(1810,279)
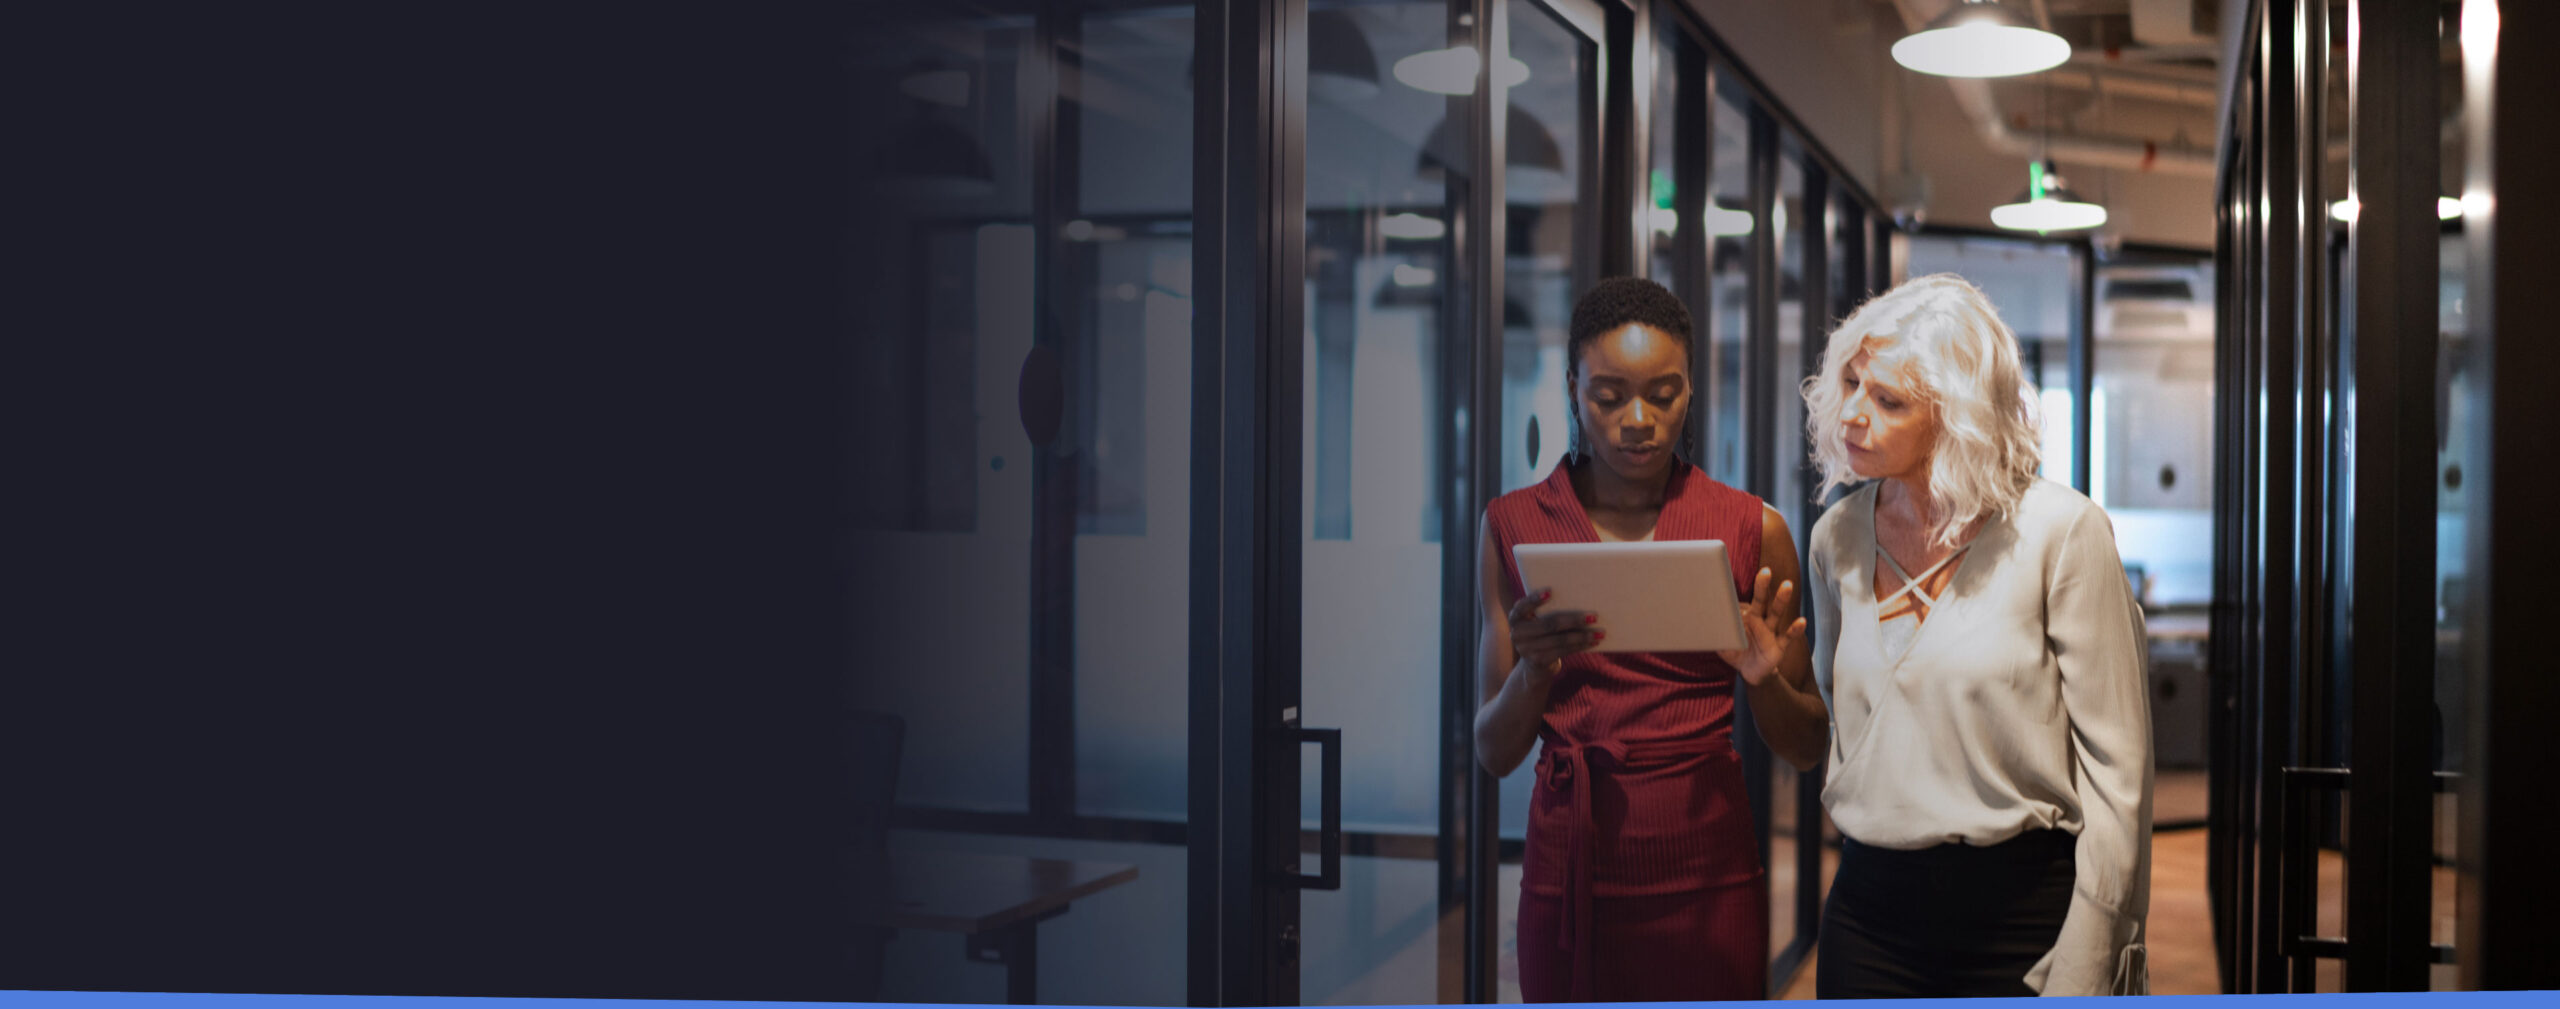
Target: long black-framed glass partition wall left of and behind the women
(1233,321)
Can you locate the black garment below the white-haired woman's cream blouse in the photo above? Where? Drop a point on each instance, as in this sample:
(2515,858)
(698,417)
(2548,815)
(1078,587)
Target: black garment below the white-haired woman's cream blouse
(1944,923)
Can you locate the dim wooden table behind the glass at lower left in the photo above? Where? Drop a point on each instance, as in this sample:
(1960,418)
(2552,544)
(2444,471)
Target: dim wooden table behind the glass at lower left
(995,903)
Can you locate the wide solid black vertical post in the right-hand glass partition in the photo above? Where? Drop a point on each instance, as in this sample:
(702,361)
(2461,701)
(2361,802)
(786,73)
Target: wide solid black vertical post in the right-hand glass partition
(2392,355)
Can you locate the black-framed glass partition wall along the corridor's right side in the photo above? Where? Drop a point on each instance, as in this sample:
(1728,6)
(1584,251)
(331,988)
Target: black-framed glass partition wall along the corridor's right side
(2362,537)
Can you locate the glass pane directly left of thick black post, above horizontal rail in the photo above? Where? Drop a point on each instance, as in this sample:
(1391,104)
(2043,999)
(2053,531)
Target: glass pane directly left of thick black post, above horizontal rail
(1130,252)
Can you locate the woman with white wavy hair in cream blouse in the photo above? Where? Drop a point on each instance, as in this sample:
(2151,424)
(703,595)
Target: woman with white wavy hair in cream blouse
(1983,662)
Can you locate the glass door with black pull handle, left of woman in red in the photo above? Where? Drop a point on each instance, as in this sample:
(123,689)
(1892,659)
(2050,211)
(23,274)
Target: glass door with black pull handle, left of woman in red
(1386,526)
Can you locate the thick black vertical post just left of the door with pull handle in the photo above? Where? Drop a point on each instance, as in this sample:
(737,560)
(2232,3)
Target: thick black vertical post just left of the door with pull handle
(1248,352)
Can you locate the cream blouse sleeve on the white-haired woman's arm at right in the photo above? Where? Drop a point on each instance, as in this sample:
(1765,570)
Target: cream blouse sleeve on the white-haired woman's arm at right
(2095,631)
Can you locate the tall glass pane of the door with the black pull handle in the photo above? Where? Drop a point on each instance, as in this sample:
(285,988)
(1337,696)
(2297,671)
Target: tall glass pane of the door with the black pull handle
(1379,301)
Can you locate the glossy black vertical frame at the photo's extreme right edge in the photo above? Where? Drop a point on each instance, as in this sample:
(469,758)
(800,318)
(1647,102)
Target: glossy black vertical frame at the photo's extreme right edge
(2505,875)
